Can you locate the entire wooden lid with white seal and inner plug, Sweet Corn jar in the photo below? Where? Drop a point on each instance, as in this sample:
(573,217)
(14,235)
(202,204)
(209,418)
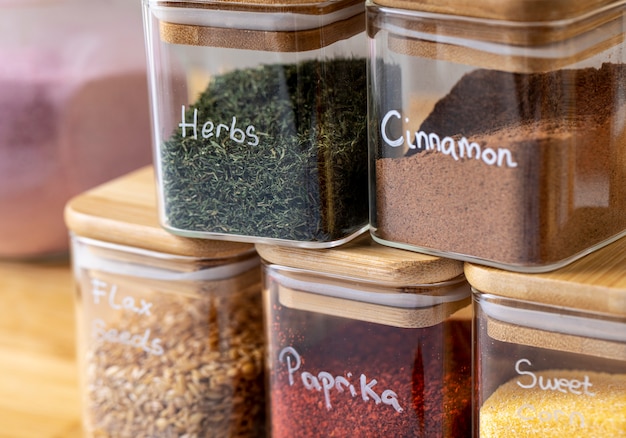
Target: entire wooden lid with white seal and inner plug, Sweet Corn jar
(594,285)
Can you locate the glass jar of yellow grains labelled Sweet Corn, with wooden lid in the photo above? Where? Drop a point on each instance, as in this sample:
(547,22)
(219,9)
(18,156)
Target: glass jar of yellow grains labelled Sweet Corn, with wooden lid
(550,352)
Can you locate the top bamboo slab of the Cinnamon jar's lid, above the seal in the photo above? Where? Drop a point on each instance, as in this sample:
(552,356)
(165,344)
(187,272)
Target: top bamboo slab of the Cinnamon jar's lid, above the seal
(510,10)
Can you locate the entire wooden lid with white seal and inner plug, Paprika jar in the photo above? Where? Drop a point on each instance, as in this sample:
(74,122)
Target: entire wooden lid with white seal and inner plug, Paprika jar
(386,296)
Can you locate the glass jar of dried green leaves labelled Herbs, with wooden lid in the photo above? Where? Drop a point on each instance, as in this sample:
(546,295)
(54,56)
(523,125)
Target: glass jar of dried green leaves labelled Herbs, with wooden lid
(260,113)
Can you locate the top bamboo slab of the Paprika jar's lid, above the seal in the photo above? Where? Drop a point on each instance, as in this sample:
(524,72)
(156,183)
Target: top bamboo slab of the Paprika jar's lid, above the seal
(364,259)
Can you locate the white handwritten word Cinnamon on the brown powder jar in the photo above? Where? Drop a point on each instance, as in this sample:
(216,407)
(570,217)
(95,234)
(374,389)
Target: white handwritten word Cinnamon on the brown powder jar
(457,149)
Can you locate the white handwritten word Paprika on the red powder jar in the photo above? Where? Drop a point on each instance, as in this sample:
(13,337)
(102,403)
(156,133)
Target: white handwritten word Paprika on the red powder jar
(328,384)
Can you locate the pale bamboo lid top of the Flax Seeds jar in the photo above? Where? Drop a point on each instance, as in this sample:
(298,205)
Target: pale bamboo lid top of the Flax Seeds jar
(124,212)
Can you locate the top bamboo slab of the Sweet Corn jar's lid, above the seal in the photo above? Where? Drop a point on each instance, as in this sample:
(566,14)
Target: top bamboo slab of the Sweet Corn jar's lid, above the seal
(595,283)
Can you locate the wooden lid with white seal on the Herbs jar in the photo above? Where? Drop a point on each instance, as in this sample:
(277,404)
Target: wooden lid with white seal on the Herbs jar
(247,30)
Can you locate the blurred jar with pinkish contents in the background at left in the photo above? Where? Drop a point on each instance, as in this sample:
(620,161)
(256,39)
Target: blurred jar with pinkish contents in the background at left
(74,112)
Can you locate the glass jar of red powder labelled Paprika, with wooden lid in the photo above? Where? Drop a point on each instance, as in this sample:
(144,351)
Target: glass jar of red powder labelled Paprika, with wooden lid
(365,340)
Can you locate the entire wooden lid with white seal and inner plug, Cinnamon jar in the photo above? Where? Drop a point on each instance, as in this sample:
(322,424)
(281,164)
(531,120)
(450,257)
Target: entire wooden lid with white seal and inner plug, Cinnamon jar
(559,33)
